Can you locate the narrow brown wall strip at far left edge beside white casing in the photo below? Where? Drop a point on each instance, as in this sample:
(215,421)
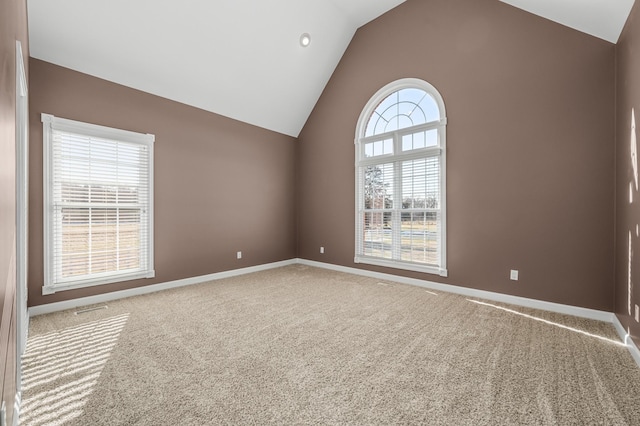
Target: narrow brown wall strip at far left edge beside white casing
(13,26)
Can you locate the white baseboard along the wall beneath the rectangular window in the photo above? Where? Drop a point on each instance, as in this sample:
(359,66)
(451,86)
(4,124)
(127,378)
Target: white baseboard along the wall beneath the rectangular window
(102,298)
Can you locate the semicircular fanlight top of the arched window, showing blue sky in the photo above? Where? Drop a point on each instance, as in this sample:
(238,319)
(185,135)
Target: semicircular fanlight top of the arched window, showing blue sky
(399,105)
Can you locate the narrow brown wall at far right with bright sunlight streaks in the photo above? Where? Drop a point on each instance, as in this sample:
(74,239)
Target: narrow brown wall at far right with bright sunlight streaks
(627,265)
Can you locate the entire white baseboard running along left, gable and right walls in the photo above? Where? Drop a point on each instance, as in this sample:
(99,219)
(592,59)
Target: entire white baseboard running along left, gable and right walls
(594,314)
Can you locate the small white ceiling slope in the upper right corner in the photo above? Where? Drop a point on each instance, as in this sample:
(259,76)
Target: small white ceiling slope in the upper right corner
(604,19)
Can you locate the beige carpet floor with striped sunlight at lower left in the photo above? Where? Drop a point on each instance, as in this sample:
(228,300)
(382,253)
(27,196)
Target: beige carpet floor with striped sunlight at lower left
(301,345)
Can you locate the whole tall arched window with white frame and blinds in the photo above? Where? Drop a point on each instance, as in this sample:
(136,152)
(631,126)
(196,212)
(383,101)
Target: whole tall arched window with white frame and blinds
(400,178)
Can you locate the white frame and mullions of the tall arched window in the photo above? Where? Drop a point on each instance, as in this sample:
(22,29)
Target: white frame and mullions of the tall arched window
(398,156)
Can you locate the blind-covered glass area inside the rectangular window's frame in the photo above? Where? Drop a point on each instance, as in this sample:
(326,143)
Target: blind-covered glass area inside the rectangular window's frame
(95,174)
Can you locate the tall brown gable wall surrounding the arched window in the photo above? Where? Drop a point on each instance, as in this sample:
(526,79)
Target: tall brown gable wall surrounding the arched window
(530,105)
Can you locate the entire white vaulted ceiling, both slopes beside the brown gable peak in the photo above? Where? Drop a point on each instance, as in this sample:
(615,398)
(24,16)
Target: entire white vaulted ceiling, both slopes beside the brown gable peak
(239,58)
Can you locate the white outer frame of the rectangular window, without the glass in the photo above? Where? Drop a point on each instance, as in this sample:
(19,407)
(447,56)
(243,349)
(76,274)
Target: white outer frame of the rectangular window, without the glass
(50,124)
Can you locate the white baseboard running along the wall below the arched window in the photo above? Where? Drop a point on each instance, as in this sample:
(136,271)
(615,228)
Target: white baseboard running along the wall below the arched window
(471,292)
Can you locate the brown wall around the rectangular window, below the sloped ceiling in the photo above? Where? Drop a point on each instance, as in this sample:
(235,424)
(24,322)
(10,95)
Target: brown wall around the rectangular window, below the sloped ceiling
(221,186)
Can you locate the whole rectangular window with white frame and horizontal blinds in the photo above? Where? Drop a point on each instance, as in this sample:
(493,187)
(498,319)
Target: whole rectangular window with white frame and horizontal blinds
(98,198)
